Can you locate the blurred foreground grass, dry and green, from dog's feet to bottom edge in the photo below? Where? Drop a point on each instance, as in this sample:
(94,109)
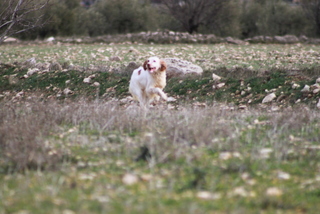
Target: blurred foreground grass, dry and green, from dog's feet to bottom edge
(85,147)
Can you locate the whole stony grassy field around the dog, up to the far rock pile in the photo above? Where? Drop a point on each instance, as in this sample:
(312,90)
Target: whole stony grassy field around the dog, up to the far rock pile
(91,150)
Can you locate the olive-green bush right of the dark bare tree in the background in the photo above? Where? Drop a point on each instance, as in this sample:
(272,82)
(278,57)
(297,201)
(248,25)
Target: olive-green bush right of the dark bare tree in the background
(273,18)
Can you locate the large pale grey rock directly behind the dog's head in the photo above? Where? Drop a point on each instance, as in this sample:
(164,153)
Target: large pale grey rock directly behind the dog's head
(178,67)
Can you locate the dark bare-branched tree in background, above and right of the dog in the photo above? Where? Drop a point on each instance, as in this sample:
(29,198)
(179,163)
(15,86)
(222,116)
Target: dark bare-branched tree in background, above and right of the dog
(194,13)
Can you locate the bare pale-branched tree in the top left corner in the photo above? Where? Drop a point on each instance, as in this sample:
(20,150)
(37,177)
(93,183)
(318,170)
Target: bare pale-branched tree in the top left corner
(16,16)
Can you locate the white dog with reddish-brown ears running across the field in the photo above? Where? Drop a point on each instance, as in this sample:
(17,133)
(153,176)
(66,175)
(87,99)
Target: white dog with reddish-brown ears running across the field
(147,82)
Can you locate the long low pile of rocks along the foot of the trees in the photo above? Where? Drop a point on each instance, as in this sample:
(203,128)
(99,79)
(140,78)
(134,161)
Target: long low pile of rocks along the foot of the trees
(171,37)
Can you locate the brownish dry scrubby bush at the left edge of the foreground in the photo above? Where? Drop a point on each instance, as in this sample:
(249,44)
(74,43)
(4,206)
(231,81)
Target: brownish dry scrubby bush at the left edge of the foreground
(22,137)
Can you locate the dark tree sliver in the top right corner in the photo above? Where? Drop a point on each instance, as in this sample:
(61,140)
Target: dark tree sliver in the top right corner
(312,10)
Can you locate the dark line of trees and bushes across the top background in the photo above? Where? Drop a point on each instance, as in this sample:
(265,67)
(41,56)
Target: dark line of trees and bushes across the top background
(30,19)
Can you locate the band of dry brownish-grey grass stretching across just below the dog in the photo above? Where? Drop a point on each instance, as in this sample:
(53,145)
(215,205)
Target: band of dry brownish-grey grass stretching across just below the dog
(25,128)
